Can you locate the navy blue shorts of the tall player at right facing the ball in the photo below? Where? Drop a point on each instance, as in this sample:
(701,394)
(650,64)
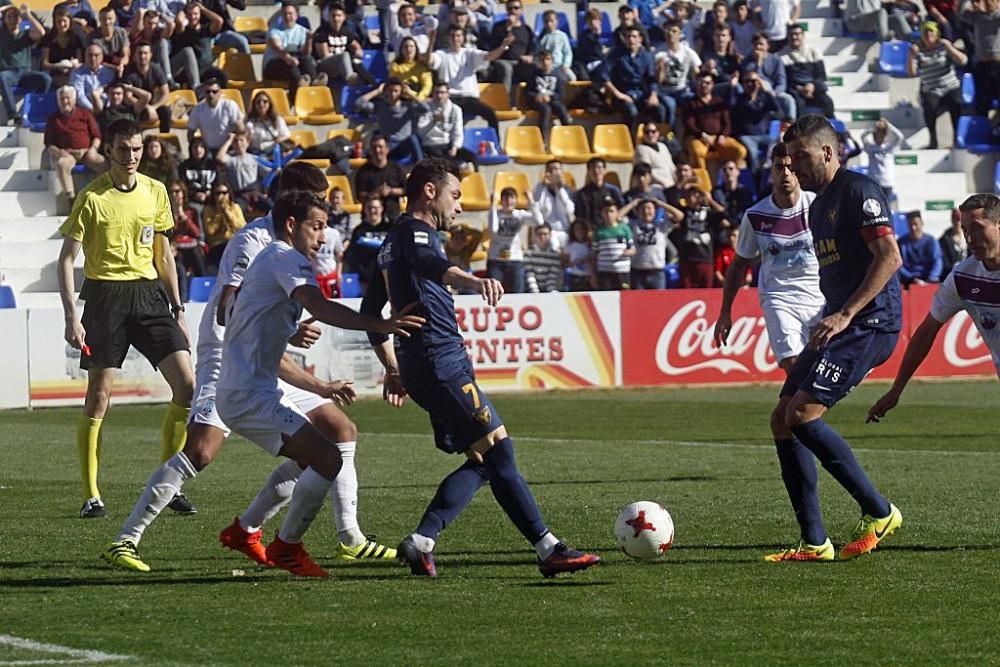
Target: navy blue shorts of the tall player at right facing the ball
(831,373)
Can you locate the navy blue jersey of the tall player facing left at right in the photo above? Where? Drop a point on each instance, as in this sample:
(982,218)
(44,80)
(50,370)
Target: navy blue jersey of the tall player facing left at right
(851,213)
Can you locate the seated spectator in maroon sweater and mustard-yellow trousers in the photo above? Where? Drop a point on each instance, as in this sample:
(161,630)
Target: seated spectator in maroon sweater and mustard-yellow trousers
(707,126)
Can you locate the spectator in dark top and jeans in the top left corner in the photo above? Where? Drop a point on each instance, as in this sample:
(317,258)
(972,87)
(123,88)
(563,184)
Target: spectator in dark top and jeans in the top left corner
(16,60)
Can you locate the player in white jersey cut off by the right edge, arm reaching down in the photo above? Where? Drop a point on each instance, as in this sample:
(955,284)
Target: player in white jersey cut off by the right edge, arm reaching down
(973,286)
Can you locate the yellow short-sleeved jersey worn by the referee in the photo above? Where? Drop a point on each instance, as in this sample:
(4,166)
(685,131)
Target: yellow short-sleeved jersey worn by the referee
(117,228)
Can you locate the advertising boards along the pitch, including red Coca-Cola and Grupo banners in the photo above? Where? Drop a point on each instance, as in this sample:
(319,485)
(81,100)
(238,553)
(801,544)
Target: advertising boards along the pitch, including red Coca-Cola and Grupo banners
(530,341)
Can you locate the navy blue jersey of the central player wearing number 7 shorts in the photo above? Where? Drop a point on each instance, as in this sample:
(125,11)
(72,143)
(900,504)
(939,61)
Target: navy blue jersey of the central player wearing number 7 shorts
(411,265)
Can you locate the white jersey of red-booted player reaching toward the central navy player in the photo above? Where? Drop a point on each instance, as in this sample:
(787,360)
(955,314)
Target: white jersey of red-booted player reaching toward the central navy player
(261,318)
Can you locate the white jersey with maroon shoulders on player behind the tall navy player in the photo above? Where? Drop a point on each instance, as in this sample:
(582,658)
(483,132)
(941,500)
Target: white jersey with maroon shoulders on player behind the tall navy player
(789,272)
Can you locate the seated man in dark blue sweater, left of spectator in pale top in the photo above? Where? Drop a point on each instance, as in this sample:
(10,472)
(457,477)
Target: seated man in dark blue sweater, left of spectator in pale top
(632,82)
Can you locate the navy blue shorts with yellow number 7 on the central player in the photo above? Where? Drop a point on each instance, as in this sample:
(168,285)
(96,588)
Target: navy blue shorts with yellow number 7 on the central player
(460,412)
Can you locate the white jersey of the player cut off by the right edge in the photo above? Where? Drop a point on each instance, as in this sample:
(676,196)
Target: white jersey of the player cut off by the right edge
(975,289)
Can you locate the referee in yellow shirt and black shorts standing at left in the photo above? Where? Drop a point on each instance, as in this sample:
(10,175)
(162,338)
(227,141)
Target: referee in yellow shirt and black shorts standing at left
(122,222)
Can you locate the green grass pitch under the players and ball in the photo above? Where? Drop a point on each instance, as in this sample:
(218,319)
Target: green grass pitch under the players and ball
(930,595)
